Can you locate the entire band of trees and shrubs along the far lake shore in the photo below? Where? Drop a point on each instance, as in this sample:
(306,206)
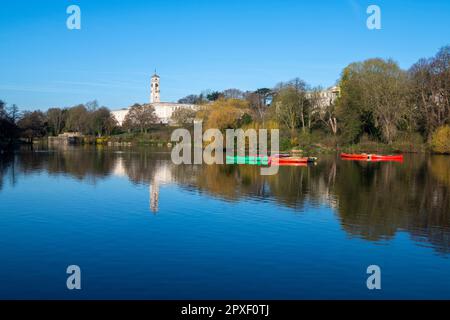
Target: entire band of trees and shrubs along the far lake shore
(379,107)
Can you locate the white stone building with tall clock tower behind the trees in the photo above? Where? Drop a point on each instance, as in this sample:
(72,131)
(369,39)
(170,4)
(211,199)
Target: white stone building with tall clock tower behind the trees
(163,110)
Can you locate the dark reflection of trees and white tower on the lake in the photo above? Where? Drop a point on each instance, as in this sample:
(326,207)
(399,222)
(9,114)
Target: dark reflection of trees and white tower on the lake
(373,201)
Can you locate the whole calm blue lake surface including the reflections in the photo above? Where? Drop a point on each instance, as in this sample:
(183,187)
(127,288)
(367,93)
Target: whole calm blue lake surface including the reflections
(141,227)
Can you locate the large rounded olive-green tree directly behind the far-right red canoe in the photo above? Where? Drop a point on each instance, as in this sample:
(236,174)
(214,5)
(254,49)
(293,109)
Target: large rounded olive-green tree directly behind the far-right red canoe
(373,96)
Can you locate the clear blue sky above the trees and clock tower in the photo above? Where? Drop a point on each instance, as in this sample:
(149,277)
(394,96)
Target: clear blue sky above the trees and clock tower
(197,45)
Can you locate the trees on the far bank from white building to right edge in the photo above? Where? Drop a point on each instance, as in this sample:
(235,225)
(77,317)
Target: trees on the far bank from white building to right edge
(377,99)
